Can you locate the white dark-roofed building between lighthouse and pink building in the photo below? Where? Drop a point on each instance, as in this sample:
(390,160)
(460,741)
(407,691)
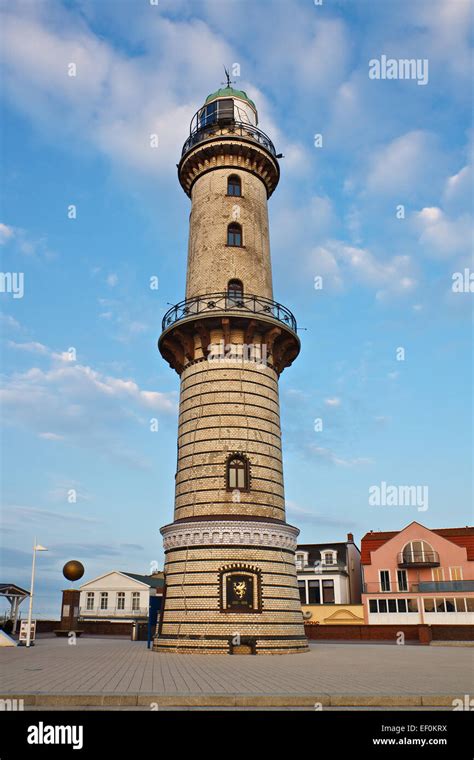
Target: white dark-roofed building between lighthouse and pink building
(329,573)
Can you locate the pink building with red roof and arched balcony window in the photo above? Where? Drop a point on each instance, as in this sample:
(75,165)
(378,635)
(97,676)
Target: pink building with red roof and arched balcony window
(418,575)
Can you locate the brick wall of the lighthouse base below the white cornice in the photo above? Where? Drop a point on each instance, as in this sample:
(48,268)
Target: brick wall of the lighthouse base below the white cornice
(193,596)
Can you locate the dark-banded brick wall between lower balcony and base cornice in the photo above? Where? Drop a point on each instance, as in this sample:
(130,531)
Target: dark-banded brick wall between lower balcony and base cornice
(224,409)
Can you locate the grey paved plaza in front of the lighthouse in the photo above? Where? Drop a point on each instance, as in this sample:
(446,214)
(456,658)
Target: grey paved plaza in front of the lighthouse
(119,672)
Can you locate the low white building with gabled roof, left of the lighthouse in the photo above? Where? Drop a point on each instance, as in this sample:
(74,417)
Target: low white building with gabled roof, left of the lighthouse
(119,596)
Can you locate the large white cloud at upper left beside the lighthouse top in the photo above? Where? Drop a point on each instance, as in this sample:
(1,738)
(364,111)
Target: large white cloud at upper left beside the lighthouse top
(115,102)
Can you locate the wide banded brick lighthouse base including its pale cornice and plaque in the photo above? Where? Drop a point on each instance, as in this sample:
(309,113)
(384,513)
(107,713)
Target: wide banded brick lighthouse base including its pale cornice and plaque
(231,588)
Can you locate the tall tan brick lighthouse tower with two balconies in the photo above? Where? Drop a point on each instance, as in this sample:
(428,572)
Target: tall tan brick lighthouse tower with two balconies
(230,571)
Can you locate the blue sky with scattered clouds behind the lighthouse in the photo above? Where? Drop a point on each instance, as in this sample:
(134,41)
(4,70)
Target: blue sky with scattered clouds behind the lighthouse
(379,207)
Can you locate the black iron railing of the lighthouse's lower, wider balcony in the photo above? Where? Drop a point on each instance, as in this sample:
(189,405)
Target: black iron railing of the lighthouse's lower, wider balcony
(218,302)
